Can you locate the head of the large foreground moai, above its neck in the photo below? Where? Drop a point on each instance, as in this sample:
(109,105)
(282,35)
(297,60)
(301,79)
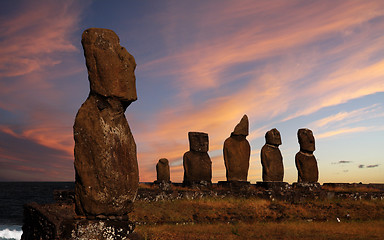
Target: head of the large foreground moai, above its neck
(110,66)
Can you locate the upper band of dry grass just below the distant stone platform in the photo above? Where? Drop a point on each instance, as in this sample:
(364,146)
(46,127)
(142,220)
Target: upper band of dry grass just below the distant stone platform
(209,210)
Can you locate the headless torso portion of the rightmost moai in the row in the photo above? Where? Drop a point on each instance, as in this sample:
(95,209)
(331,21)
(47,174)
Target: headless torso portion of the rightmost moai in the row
(306,165)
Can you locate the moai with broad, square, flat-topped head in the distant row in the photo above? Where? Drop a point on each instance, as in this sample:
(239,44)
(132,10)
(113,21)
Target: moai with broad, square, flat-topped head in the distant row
(197,163)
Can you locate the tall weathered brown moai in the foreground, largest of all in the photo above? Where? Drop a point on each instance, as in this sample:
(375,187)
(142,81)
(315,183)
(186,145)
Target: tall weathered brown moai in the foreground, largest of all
(106,166)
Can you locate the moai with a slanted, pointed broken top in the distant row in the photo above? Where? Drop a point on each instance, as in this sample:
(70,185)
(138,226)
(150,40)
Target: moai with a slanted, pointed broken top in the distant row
(237,152)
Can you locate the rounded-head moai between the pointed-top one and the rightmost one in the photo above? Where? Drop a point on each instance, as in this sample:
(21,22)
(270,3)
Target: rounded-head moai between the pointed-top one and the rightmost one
(271,158)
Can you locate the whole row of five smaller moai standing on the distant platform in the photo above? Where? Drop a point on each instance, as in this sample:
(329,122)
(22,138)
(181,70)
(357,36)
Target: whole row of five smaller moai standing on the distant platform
(236,152)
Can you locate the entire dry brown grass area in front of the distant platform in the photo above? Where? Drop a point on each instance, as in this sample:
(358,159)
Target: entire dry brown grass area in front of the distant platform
(254,218)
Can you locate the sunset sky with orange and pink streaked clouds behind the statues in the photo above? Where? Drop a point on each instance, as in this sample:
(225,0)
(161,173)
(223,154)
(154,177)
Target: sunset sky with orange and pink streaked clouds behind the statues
(201,65)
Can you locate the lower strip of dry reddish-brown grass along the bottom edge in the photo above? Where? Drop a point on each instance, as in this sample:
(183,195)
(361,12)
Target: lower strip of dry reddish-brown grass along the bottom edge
(286,230)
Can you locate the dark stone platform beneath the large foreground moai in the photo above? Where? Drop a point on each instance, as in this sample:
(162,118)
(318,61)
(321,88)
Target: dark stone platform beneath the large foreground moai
(59,222)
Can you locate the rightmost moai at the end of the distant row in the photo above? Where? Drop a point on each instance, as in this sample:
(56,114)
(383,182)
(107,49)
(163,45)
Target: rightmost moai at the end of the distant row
(305,160)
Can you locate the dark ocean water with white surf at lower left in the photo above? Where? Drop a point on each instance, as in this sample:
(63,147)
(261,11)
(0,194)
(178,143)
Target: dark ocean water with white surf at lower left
(13,195)
